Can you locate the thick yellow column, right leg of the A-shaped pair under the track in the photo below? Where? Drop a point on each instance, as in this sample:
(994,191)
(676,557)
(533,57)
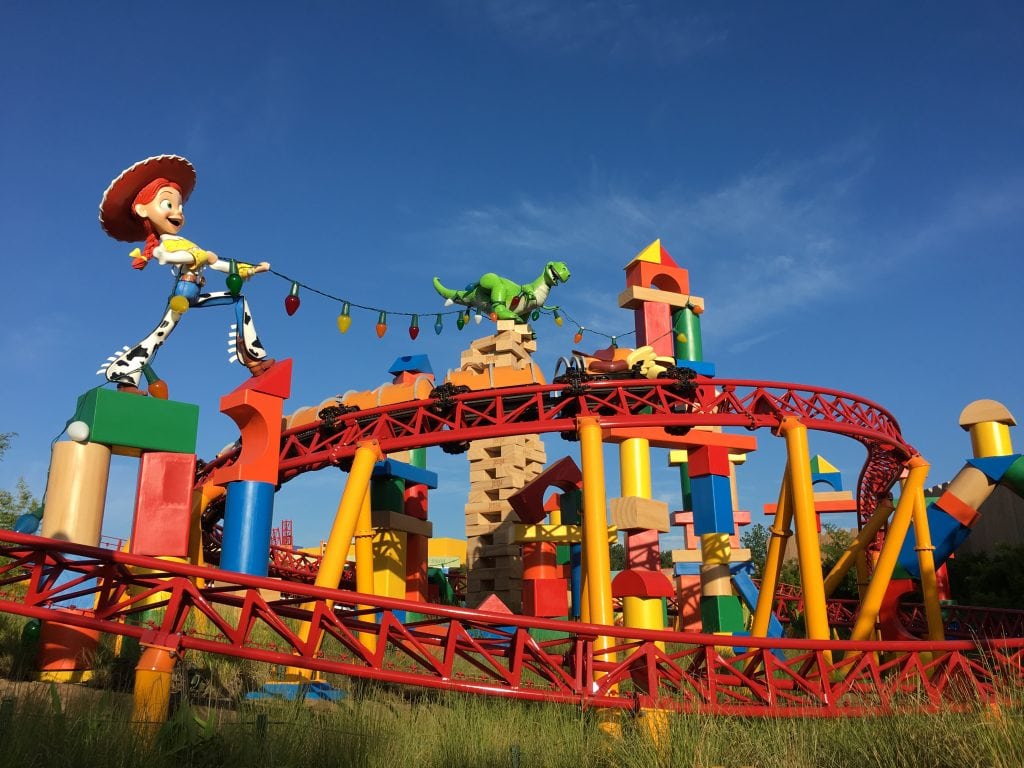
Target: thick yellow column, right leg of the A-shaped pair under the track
(808,548)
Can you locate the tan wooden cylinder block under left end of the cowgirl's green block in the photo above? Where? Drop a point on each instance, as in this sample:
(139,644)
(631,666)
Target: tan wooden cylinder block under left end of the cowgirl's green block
(76,493)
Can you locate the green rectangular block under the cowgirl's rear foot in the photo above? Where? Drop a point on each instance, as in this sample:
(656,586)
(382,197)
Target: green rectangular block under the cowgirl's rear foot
(131,423)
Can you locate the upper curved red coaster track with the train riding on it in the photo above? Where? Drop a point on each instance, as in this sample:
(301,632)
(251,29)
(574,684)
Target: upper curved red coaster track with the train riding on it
(622,403)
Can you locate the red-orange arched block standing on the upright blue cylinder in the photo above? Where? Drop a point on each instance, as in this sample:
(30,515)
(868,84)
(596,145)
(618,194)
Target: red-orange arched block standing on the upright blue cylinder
(259,419)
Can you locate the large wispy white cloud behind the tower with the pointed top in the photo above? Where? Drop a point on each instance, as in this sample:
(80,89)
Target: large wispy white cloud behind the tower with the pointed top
(771,238)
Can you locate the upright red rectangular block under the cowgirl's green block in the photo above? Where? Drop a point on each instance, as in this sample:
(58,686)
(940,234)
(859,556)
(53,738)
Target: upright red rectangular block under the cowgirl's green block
(163,505)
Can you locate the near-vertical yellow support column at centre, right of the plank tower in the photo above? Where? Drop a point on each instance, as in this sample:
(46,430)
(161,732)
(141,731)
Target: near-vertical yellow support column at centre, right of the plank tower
(595,543)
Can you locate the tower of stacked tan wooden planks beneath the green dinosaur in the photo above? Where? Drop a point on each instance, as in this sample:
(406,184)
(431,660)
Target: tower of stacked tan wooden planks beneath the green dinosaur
(498,468)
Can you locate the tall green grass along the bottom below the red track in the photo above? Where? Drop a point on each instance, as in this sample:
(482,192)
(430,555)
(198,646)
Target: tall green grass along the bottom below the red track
(379,726)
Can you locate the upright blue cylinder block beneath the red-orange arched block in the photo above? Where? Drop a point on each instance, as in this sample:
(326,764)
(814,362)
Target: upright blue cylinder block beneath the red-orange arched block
(248,517)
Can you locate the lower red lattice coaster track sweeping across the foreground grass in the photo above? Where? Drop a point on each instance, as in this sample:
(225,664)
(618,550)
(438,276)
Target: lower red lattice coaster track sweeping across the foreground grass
(495,655)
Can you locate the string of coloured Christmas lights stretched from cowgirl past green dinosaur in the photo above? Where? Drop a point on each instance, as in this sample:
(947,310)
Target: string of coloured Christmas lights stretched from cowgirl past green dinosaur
(293,302)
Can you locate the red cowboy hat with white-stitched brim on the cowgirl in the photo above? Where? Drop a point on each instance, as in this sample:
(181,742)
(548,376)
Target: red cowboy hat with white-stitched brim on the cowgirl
(116,215)
